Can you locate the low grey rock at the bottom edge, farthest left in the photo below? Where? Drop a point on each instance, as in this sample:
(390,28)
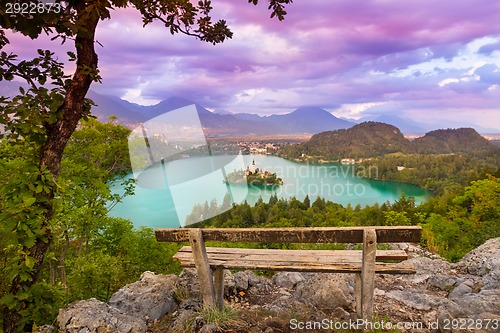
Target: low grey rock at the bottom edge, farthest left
(93,316)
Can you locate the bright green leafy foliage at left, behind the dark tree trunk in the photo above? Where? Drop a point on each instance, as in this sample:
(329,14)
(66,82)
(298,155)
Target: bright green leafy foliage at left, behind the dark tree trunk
(91,254)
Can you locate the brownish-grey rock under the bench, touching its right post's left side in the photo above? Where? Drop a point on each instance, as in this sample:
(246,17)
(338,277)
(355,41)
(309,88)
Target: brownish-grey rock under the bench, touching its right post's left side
(327,291)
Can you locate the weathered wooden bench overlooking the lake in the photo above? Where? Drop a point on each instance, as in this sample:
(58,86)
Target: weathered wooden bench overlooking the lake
(210,262)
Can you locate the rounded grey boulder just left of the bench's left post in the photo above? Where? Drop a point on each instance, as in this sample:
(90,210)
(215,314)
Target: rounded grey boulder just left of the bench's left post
(150,298)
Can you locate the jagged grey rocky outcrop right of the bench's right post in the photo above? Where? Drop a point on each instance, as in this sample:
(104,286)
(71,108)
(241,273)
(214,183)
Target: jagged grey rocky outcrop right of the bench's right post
(441,292)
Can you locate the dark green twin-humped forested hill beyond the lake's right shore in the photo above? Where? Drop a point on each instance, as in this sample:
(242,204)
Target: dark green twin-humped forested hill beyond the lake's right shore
(371,139)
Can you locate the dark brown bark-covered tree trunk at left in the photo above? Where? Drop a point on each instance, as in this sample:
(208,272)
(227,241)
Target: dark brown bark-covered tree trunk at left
(58,134)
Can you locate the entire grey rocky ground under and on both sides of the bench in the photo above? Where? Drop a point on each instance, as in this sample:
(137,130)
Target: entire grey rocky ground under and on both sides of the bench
(437,294)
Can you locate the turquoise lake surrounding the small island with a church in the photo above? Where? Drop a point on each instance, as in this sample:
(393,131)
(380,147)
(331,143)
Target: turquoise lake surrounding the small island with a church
(169,192)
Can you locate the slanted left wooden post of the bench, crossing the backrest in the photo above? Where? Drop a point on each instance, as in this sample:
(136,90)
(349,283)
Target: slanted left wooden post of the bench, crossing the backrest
(202,267)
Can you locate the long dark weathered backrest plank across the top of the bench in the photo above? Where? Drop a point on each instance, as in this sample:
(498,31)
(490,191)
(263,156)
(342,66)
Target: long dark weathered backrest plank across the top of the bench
(392,234)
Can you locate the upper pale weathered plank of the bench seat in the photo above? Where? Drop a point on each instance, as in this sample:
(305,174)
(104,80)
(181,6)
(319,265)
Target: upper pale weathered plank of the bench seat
(295,255)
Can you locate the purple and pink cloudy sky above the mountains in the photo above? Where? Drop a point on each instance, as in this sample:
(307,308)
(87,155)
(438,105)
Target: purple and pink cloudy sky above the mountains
(427,60)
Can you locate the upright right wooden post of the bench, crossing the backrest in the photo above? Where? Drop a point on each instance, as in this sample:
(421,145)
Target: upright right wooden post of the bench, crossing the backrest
(368,273)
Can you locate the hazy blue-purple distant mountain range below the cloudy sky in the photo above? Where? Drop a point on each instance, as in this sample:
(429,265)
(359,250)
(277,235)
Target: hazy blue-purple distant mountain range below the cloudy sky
(305,120)
